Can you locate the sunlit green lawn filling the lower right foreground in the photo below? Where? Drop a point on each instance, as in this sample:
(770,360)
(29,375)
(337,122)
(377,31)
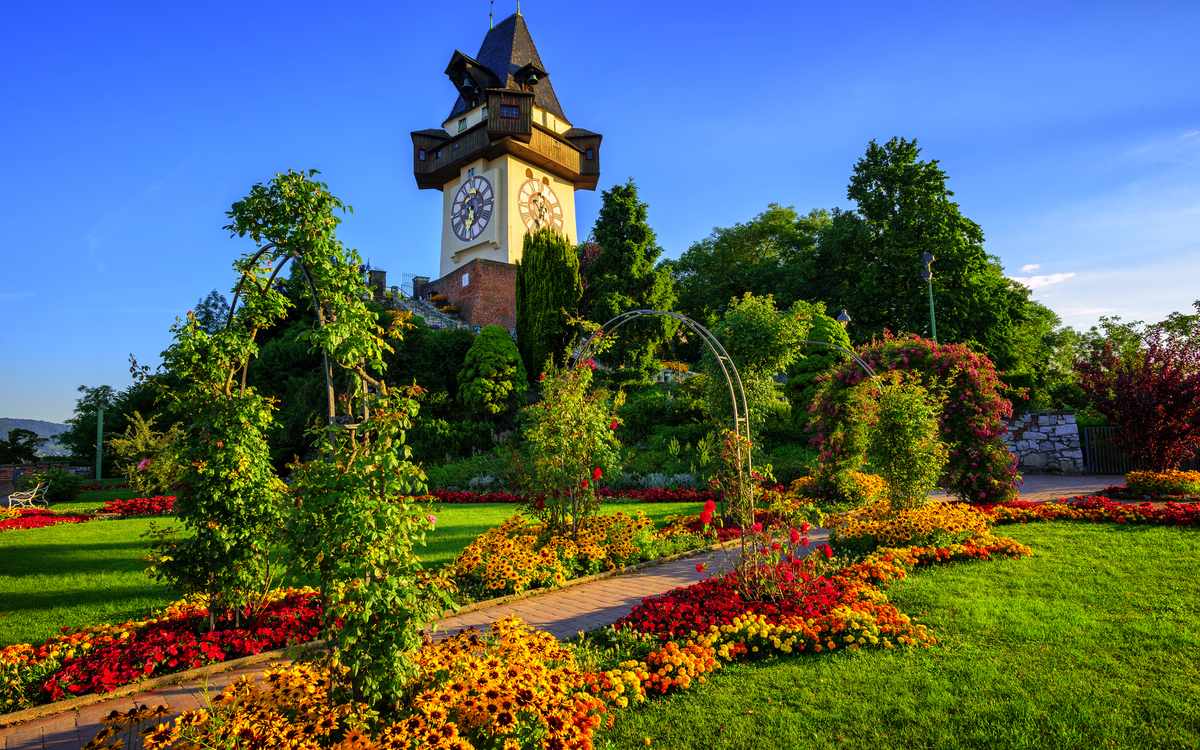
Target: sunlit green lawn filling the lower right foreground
(1091,643)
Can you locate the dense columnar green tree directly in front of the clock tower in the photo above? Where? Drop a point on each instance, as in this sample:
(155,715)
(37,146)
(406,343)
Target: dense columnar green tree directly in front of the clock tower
(548,293)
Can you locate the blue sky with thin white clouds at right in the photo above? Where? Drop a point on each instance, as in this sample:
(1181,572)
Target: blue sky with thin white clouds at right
(1070,131)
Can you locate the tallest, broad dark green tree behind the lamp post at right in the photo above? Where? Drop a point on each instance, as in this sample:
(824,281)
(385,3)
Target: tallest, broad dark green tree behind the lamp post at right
(869,261)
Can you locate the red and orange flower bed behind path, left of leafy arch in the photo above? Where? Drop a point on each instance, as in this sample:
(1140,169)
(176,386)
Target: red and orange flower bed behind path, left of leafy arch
(103,658)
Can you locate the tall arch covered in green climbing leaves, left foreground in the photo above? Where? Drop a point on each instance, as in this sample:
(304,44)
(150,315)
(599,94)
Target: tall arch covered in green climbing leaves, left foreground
(347,517)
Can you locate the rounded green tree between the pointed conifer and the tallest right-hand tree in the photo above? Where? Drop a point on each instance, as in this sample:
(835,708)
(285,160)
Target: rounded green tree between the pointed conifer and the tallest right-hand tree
(765,256)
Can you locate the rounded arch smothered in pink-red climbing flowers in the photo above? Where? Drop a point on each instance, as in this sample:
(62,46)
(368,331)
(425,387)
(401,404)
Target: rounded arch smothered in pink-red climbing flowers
(980,469)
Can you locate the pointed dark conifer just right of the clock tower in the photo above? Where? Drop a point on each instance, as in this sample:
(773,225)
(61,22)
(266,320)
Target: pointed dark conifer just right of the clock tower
(625,278)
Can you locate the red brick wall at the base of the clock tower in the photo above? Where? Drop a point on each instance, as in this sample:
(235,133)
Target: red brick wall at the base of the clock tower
(489,298)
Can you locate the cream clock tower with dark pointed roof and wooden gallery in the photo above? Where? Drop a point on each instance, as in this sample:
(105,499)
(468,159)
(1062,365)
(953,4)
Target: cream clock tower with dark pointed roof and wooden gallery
(507,161)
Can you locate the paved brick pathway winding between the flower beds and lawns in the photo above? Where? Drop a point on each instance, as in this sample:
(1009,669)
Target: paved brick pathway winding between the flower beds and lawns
(563,614)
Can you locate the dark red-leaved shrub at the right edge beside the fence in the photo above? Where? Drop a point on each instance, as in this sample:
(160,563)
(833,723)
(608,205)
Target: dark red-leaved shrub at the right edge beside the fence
(1151,393)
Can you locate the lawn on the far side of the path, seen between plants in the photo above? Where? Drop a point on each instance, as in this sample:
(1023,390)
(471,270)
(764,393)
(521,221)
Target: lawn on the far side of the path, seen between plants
(89,574)
